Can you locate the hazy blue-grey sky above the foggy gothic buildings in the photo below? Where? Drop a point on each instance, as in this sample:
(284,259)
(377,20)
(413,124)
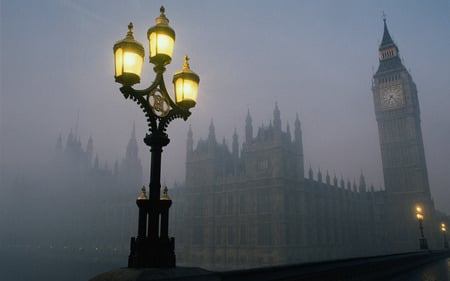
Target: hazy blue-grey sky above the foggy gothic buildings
(315,58)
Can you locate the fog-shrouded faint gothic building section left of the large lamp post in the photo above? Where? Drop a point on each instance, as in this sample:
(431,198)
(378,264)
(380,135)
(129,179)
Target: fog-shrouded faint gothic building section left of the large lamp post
(75,204)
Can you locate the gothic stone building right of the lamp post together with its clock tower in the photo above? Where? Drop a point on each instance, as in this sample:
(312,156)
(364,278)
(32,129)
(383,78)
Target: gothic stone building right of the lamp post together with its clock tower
(254,207)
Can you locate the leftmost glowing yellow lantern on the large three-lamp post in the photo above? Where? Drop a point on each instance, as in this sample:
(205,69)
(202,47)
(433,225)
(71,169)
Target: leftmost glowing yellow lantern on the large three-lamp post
(128,58)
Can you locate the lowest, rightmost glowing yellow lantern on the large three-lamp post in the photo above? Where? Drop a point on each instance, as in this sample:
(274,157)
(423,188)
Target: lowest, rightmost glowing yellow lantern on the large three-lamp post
(186,86)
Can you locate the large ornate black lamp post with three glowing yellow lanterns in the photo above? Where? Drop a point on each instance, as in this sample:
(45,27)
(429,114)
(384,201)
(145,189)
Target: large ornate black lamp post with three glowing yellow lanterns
(152,247)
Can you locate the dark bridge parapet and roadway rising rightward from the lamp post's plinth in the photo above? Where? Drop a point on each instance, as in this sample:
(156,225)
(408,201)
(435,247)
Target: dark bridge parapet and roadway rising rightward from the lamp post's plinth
(402,267)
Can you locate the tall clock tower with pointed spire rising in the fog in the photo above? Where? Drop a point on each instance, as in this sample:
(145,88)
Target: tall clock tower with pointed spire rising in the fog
(402,151)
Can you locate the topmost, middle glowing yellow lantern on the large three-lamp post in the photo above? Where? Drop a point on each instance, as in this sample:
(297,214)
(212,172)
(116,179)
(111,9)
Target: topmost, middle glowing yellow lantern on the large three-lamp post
(161,38)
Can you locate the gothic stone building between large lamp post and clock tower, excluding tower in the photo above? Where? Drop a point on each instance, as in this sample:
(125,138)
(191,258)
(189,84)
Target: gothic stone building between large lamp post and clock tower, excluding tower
(256,208)
